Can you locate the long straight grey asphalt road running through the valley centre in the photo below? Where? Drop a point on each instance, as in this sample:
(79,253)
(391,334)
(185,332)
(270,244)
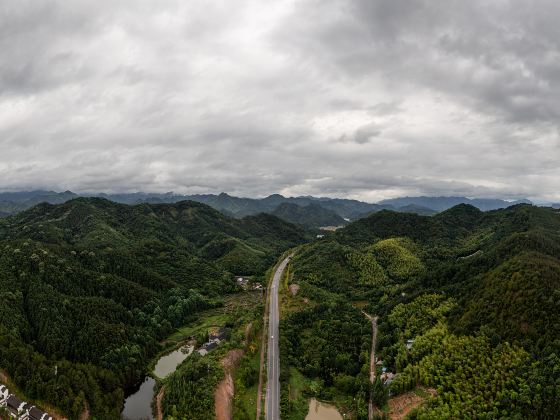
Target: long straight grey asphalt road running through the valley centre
(273,366)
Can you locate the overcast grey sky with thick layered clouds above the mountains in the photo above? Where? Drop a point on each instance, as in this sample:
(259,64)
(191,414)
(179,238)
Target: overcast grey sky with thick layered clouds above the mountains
(365,99)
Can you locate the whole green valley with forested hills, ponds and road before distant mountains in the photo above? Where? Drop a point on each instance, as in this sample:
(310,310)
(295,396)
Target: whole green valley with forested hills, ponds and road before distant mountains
(394,313)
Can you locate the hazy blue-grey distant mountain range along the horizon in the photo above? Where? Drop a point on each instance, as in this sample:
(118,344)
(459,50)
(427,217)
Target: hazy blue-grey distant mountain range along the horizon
(311,212)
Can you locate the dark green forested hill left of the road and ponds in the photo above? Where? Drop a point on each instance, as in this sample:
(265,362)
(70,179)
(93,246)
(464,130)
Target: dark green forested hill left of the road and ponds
(91,286)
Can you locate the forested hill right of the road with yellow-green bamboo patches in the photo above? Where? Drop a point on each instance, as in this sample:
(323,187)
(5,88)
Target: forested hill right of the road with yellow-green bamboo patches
(478,292)
